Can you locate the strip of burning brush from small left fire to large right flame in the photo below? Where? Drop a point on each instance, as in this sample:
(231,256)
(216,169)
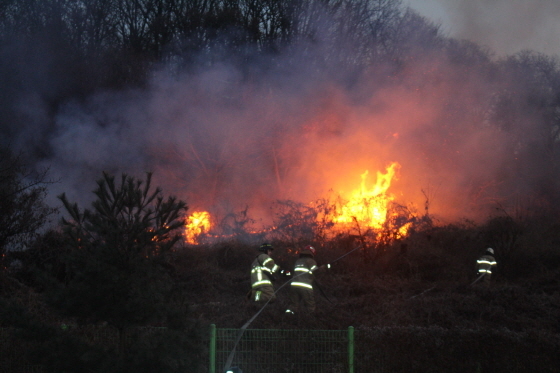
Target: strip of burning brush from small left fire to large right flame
(369,213)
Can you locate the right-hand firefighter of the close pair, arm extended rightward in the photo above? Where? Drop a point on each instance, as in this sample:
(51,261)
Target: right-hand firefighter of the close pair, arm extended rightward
(301,288)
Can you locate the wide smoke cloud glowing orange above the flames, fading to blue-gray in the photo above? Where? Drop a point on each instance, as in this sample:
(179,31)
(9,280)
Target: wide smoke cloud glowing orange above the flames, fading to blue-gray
(241,133)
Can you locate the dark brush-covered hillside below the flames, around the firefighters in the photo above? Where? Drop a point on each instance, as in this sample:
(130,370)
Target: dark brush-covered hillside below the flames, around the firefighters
(412,303)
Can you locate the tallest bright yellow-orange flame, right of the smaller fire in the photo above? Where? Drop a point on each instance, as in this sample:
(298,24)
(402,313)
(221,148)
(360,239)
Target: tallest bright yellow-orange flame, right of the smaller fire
(368,206)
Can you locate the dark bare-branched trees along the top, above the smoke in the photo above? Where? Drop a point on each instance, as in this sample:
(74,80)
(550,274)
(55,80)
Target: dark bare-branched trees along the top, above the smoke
(55,51)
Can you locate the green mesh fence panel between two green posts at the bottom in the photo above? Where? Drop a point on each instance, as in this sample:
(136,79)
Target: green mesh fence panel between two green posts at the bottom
(276,351)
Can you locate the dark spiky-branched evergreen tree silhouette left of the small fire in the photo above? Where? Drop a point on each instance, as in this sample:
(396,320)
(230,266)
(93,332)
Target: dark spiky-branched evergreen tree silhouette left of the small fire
(116,268)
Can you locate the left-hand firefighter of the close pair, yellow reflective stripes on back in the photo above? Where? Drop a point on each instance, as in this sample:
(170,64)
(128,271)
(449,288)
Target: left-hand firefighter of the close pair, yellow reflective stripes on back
(262,275)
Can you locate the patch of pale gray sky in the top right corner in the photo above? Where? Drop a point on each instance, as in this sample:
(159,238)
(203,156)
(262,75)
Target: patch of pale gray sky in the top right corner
(504,26)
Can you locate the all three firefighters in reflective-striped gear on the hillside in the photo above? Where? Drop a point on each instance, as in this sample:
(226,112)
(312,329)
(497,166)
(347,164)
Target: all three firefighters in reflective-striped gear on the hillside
(264,268)
